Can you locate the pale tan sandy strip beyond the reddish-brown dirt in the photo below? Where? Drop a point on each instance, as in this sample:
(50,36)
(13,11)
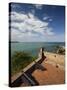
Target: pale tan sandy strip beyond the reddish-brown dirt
(55,59)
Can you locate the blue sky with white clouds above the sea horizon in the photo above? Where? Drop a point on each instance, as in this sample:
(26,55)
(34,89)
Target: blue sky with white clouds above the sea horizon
(36,22)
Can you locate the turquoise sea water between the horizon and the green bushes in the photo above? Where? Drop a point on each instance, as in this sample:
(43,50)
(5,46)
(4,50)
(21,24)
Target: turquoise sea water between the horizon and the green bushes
(34,47)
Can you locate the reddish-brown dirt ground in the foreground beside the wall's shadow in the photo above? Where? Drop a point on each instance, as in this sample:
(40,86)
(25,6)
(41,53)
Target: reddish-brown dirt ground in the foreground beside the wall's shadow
(52,75)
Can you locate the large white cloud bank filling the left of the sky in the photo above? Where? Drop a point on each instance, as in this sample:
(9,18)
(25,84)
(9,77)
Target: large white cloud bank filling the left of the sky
(28,26)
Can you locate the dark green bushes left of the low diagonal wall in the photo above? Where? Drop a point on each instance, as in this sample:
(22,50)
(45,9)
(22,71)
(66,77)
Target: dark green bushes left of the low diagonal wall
(19,61)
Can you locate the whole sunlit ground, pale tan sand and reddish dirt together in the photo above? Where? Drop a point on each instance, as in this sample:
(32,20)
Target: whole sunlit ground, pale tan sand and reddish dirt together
(54,73)
